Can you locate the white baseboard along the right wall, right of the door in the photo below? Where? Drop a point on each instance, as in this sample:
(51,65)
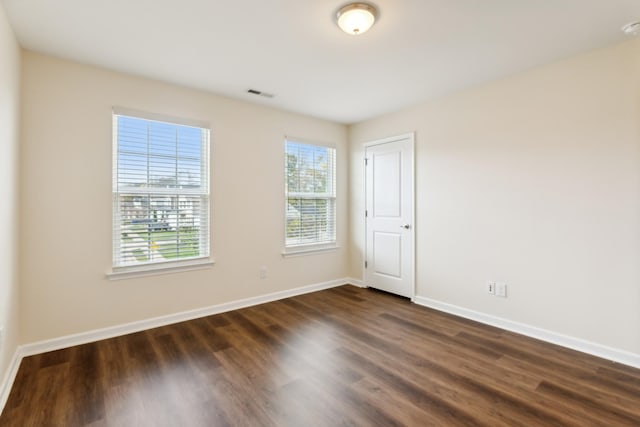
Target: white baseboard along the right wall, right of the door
(599,350)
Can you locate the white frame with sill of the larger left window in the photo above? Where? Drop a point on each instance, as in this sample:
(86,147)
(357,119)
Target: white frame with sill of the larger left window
(203,260)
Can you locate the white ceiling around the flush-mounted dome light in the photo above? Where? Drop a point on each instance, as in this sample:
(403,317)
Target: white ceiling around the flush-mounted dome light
(418,50)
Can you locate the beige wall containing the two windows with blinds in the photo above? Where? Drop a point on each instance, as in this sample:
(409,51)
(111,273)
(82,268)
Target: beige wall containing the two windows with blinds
(66,203)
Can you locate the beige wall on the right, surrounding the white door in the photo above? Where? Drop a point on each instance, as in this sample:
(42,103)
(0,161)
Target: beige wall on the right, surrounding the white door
(533,180)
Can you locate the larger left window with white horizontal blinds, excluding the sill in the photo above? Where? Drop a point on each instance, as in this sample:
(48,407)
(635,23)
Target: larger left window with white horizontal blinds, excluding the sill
(160,191)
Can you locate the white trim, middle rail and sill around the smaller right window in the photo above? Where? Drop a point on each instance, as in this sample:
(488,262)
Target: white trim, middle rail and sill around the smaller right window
(314,247)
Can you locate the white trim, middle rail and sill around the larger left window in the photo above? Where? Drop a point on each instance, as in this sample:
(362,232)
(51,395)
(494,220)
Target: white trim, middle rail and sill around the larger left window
(119,272)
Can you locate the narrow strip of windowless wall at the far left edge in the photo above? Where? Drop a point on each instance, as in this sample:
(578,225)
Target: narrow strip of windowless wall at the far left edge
(9,125)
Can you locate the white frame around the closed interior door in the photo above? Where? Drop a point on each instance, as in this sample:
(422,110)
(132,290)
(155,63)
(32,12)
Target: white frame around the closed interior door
(411,137)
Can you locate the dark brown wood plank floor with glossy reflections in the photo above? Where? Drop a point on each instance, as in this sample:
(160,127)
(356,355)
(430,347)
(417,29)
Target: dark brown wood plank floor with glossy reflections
(345,356)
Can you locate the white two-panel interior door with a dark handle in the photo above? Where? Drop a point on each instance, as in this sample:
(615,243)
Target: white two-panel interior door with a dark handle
(389,258)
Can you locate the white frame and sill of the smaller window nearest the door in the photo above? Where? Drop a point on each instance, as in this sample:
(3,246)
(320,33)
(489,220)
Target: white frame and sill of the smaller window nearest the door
(331,197)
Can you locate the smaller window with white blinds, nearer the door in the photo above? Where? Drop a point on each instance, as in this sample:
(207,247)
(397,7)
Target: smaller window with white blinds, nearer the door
(310,190)
